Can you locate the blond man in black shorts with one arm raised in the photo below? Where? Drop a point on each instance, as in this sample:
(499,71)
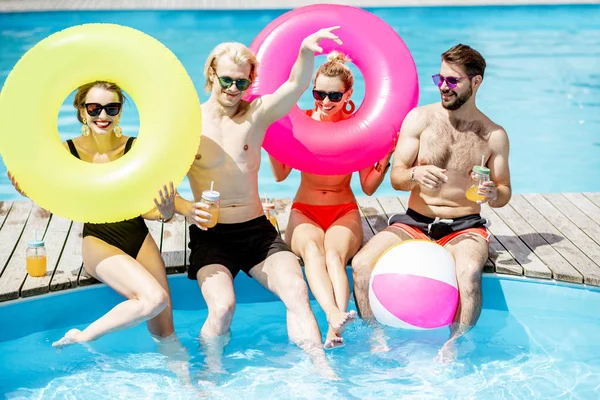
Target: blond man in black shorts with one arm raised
(243,239)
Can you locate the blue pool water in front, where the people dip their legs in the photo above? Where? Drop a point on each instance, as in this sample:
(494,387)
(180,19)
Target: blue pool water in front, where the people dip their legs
(534,340)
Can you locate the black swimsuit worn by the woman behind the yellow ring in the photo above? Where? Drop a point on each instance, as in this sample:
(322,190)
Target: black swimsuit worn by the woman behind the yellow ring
(128,235)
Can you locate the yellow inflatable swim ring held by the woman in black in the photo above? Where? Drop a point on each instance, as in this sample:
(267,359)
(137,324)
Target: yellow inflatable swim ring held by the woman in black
(170,122)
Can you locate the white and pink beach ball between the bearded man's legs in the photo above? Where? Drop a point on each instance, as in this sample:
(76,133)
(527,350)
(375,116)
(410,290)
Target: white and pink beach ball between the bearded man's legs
(413,286)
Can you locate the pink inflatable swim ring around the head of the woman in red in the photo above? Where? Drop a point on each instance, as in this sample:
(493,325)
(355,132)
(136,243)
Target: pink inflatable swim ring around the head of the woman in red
(391,82)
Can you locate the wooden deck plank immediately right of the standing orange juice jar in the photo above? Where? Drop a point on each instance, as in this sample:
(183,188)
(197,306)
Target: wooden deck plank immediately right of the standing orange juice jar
(55,239)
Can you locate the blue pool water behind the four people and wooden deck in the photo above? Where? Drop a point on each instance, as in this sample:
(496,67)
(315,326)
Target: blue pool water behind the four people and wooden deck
(542,83)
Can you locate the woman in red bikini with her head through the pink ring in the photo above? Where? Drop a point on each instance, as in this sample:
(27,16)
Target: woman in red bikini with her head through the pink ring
(324,227)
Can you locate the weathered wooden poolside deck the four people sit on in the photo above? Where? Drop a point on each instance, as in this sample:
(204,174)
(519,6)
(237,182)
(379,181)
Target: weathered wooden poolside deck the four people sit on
(550,236)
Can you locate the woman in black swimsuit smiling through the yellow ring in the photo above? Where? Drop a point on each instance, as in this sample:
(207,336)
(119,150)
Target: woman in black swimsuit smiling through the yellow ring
(123,254)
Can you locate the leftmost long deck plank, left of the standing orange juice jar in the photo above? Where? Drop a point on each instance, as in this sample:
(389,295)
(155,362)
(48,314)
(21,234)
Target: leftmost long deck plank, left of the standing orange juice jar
(12,228)
